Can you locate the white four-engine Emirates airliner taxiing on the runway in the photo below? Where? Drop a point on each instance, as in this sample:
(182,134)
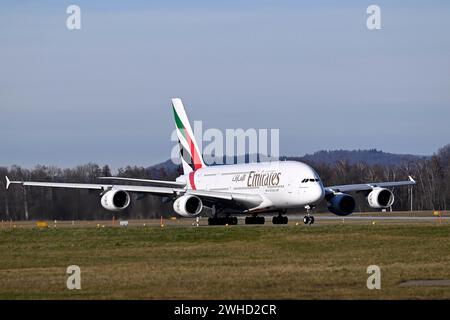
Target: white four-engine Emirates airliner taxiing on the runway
(250,189)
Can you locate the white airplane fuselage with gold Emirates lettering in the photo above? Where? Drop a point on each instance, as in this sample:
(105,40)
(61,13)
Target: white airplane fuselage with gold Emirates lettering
(282,184)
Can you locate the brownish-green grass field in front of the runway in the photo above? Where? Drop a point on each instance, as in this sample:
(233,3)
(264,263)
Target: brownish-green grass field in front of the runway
(254,262)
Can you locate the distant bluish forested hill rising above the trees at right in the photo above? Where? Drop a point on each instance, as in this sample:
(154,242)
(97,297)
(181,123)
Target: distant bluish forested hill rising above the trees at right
(370,157)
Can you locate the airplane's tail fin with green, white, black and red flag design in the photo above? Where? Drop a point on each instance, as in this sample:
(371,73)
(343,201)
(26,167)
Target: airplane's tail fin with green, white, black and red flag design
(191,157)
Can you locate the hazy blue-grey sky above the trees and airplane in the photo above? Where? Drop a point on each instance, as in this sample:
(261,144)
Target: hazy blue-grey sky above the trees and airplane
(313,70)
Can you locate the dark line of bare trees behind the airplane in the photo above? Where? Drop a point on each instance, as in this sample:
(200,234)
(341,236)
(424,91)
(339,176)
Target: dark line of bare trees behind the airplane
(432,191)
